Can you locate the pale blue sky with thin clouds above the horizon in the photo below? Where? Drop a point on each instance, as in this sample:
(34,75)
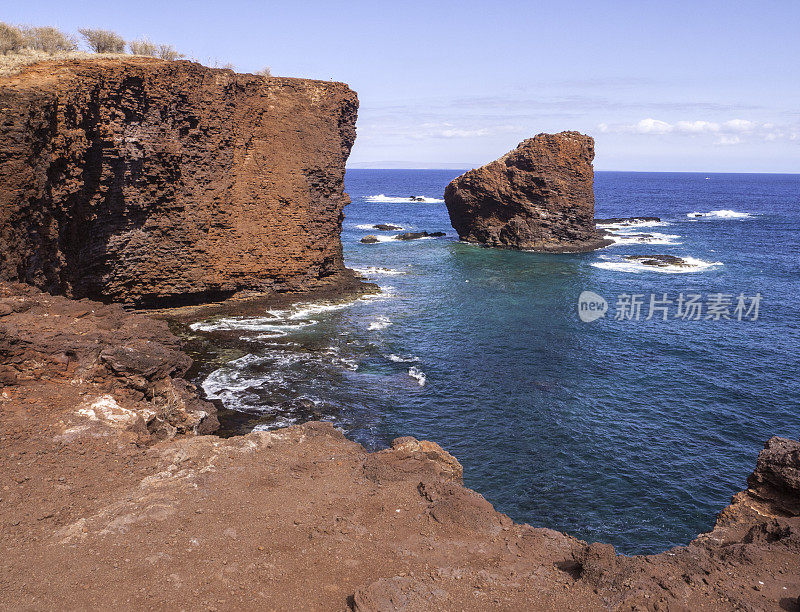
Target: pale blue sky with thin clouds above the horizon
(672,86)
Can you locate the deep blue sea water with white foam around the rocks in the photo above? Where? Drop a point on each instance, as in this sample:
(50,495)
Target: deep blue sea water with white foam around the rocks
(630,432)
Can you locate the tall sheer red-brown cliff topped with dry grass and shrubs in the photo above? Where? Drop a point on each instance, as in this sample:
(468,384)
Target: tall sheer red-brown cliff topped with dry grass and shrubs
(158,183)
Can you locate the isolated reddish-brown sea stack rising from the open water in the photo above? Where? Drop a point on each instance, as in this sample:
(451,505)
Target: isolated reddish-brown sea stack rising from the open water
(538,197)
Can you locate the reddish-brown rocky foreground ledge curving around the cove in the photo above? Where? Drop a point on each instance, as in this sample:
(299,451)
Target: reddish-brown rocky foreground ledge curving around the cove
(111,496)
